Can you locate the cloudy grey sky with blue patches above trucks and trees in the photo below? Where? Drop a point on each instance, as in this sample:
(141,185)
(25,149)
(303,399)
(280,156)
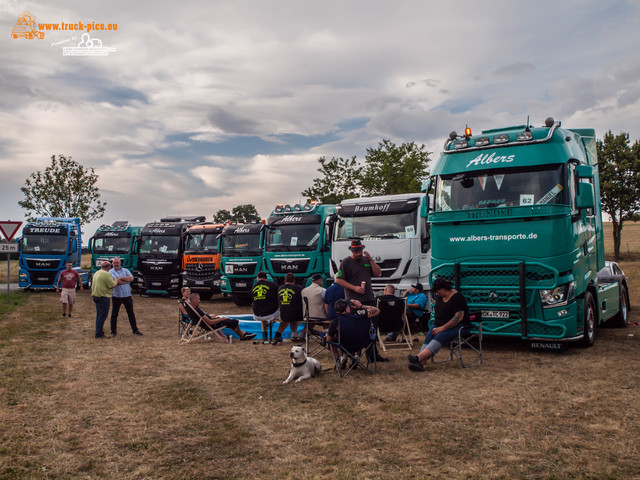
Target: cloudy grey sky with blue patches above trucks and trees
(205,105)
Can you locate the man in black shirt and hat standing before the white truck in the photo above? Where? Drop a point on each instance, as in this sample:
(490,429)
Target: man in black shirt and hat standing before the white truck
(355,274)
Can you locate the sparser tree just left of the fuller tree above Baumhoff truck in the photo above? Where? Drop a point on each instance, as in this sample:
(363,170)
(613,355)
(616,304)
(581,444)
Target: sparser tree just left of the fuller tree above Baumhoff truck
(340,180)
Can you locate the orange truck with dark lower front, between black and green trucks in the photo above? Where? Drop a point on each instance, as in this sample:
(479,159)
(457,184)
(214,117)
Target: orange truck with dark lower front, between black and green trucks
(201,259)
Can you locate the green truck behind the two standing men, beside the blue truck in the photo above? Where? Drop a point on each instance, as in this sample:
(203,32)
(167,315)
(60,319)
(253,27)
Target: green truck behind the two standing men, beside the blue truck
(117,240)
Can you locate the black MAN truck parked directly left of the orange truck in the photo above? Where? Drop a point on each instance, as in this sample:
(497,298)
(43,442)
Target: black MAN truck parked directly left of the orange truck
(160,255)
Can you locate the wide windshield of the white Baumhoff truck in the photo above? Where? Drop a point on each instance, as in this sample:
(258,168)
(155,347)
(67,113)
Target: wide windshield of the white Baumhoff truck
(398,225)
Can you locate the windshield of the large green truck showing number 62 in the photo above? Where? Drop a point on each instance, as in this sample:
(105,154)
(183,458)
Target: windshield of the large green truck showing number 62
(504,188)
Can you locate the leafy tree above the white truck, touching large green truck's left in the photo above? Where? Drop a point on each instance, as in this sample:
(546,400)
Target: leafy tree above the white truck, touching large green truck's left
(391,169)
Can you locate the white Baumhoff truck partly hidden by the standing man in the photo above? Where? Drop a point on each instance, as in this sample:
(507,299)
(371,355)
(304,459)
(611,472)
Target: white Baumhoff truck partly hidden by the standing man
(395,232)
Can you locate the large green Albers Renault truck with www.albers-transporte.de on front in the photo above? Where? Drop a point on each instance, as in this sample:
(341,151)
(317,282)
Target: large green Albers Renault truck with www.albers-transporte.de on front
(517,228)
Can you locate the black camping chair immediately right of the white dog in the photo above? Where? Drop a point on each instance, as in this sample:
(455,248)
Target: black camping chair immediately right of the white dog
(356,343)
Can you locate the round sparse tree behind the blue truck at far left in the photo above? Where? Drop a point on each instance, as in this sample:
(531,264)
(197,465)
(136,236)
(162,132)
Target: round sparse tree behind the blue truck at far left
(64,189)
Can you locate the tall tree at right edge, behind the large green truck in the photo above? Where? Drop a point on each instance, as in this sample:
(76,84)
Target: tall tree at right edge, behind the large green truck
(619,167)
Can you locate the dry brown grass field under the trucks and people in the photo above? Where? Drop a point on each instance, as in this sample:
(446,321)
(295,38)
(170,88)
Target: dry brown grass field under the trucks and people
(143,407)
